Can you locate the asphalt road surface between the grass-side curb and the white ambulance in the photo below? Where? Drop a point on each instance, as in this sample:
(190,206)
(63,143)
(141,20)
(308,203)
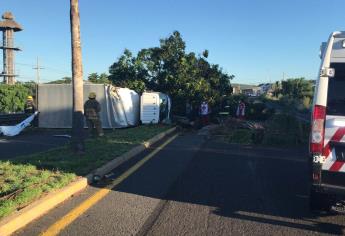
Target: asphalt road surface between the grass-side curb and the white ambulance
(200,186)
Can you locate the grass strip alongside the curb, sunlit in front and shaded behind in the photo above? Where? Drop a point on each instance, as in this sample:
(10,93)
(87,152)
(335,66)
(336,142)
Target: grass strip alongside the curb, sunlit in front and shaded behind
(26,178)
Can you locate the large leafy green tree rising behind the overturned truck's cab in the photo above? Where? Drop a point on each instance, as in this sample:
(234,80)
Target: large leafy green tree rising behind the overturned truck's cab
(170,69)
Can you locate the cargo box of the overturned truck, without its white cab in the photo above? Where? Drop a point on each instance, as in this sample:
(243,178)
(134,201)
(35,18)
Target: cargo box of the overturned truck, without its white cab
(119,106)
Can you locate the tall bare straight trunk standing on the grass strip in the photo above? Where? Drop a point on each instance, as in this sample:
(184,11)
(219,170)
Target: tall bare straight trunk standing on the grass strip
(77,80)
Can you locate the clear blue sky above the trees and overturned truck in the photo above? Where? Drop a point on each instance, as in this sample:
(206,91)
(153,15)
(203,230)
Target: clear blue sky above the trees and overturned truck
(256,40)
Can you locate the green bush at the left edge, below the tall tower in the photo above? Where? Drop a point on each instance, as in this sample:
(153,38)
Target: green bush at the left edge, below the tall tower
(13,97)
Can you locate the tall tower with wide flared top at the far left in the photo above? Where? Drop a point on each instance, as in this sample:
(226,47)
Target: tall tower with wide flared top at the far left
(8,27)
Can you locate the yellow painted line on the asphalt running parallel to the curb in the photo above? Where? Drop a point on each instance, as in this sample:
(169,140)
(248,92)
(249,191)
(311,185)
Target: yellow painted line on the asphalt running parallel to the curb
(67,219)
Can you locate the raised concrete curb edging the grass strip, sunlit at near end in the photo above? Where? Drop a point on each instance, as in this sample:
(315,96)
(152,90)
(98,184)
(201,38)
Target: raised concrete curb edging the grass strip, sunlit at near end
(38,208)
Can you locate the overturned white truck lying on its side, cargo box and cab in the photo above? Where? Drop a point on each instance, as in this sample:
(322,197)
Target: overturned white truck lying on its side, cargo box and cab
(120,107)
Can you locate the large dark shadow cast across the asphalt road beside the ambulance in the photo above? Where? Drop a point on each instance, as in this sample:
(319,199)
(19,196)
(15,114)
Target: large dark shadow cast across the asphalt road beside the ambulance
(265,186)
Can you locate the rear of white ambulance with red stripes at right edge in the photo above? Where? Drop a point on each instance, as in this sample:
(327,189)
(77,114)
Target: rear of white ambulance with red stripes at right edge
(327,137)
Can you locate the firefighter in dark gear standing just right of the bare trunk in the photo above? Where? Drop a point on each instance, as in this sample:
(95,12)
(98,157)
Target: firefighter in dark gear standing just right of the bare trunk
(91,111)
